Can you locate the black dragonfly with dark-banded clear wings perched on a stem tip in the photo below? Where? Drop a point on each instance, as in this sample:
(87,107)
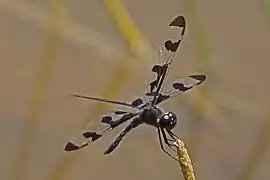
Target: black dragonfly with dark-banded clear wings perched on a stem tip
(147,109)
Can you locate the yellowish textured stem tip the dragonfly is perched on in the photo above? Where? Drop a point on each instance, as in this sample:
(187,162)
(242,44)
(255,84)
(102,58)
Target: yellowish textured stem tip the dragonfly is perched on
(184,160)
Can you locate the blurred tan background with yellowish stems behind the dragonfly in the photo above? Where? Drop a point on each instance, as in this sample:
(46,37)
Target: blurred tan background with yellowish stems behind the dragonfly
(50,49)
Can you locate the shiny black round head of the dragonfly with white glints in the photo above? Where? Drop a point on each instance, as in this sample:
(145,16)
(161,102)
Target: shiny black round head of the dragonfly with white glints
(168,120)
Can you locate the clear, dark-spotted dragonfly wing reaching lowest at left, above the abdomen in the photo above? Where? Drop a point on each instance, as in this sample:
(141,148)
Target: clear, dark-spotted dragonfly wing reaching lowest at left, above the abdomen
(95,130)
